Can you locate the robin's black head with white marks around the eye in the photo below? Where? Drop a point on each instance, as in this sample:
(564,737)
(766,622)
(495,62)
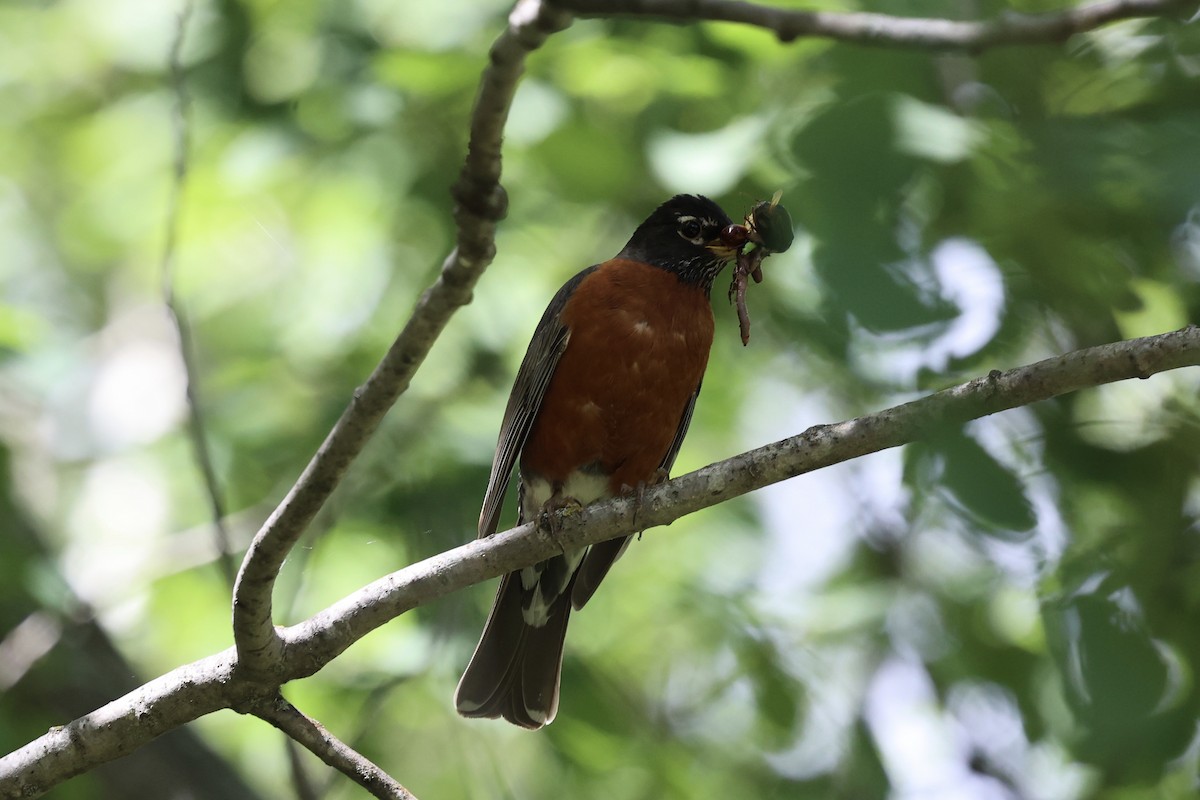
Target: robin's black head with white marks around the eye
(685,237)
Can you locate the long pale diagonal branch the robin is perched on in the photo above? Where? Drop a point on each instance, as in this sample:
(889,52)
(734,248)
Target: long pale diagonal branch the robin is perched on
(213,683)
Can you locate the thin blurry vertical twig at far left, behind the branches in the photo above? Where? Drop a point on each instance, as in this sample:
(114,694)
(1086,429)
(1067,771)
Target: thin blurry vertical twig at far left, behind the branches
(182,128)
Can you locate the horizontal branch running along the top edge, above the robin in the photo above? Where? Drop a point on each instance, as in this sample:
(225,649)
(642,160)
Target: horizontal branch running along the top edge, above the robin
(866,28)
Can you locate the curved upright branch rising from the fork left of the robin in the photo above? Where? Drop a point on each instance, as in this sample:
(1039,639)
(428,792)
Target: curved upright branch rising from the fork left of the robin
(481,206)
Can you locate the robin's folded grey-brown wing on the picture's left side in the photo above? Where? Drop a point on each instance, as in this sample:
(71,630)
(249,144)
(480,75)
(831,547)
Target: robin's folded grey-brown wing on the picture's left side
(529,390)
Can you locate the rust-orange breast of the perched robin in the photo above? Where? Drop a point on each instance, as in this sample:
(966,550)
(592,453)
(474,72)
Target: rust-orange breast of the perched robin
(639,346)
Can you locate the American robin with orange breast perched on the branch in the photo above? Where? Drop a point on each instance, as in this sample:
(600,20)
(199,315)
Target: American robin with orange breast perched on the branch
(599,408)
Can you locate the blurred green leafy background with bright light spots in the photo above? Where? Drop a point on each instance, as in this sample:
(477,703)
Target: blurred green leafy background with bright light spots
(1007,611)
